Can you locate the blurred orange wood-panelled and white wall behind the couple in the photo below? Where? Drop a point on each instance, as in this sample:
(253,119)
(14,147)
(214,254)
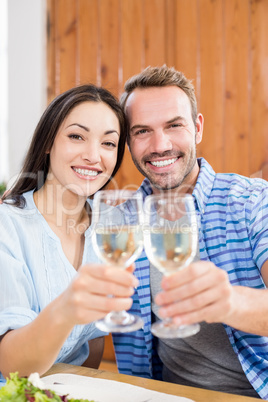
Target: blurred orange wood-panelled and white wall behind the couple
(48,46)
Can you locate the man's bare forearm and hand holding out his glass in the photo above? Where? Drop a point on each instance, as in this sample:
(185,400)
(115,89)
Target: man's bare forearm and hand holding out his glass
(202,292)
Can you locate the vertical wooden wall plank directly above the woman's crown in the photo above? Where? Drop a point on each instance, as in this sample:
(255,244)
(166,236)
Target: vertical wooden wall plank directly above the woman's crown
(88,41)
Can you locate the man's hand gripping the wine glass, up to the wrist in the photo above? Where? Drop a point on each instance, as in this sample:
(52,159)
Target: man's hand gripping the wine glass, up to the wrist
(200,292)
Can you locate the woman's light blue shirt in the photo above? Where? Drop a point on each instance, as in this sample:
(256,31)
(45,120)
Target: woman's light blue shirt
(34,271)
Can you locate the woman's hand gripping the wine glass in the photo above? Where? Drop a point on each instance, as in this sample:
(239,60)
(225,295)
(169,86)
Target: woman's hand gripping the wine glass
(95,291)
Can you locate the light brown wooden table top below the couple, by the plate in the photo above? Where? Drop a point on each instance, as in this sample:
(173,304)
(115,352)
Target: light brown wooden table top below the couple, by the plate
(197,394)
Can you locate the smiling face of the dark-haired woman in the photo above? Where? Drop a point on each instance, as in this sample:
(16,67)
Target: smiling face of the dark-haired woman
(84,153)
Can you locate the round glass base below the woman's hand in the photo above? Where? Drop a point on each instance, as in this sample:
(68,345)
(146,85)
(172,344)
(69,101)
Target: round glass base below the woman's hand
(120,322)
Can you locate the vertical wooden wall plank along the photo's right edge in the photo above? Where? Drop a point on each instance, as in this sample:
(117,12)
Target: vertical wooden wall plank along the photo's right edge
(259,101)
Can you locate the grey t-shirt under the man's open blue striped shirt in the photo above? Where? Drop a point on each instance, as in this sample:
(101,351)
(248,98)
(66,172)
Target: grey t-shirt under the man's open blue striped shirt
(205,360)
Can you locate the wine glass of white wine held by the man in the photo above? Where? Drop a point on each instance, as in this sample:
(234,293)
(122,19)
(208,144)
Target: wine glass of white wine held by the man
(171,241)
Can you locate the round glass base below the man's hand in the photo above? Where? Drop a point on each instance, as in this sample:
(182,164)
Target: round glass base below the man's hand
(168,329)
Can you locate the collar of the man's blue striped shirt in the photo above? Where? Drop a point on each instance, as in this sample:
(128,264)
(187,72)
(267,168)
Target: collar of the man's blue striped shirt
(202,188)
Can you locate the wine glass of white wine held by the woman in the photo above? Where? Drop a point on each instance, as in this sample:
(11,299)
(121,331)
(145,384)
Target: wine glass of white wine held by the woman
(118,240)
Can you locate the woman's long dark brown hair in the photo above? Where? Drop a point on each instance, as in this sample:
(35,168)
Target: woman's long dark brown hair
(36,165)
